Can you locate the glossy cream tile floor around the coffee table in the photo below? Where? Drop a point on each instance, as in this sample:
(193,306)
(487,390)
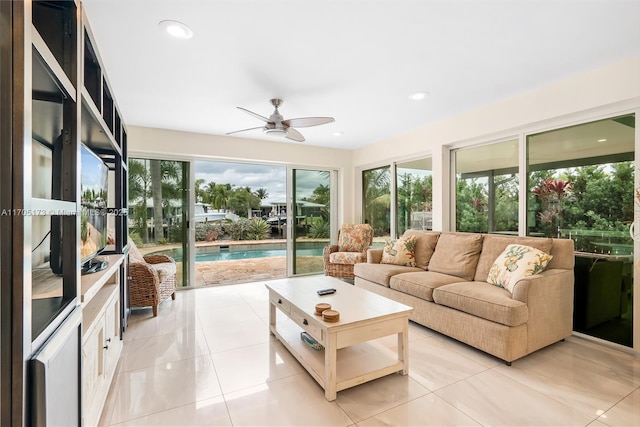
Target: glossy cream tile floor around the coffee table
(208,359)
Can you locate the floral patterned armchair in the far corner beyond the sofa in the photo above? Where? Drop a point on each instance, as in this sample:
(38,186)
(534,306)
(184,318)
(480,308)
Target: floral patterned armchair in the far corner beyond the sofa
(353,242)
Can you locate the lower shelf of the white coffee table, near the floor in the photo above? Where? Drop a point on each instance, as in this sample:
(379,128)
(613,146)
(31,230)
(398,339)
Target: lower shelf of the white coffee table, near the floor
(355,364)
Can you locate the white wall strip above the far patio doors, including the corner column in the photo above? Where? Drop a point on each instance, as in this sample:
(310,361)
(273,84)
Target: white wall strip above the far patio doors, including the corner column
(175,145)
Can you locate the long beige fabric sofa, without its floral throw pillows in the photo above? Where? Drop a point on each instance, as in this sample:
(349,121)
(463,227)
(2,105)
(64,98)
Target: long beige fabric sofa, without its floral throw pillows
(449,292)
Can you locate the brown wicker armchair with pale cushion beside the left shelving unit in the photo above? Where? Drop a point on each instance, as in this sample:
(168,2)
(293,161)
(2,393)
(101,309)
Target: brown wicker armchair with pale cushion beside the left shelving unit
(152,279)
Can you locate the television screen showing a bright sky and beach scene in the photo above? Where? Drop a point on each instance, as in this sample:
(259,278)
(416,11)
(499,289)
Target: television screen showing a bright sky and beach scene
(93,199)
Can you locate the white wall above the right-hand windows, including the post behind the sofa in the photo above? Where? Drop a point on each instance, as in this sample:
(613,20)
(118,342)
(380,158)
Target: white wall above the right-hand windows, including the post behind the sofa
(583,97)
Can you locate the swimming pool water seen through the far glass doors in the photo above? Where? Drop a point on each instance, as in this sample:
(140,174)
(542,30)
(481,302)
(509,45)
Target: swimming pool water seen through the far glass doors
(228,253)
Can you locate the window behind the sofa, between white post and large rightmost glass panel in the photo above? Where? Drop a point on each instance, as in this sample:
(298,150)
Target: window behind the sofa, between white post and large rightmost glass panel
(487,183)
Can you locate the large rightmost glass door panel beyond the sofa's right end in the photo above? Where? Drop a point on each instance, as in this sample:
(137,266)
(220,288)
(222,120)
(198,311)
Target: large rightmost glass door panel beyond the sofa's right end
(581,186)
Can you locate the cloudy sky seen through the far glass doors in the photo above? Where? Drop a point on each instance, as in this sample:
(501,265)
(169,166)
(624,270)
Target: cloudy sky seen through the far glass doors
(255,176)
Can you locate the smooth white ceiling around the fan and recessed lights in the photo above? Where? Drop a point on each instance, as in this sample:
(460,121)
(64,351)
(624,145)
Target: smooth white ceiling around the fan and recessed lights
(355,60)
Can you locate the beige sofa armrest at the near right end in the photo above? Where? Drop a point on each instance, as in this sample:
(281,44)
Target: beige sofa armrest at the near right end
(549,299)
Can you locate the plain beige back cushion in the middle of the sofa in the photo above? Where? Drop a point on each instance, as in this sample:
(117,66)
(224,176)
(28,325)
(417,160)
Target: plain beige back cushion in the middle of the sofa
(457,254)
